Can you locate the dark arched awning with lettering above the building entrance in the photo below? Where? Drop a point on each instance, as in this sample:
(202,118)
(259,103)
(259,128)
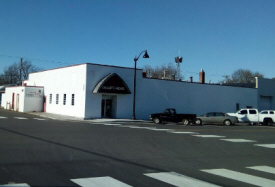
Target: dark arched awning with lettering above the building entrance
(112,83)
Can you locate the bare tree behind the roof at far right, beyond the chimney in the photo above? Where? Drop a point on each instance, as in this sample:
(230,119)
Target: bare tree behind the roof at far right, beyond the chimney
(242,76)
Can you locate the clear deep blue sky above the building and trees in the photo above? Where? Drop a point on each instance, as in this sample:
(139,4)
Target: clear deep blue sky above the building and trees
(219,36)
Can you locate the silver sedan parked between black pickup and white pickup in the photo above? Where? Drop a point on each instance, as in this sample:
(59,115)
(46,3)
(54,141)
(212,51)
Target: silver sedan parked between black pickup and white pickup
(217,117)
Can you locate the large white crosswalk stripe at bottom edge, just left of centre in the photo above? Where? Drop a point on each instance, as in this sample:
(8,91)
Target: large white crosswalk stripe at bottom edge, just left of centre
(99,182)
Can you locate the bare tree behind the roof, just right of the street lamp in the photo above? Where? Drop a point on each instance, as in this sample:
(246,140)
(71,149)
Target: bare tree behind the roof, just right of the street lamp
(161,72)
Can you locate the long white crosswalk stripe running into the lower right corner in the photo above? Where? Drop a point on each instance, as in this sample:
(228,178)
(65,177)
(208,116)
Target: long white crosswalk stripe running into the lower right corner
(242,177)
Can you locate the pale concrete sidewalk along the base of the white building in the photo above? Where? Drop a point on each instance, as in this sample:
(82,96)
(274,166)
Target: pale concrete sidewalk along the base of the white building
(71,118)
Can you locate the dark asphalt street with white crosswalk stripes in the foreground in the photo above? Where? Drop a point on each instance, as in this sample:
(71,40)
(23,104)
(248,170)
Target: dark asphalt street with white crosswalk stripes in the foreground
(36,151)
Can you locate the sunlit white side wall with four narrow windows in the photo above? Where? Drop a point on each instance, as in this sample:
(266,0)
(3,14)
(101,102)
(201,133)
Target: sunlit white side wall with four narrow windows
(69,80)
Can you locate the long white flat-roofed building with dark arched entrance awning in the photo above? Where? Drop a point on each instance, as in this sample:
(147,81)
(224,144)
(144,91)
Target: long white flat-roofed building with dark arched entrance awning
(94,91)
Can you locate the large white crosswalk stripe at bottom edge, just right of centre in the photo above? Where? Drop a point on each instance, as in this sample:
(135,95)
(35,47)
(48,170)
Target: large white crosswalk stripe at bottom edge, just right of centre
(179,180)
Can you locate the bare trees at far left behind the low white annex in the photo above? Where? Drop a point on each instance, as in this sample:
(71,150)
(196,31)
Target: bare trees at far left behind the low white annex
(12,73)
